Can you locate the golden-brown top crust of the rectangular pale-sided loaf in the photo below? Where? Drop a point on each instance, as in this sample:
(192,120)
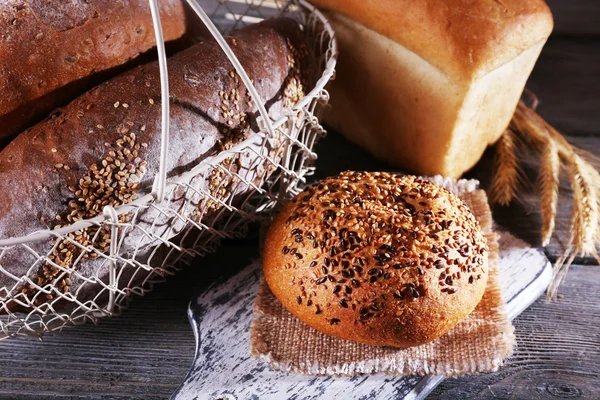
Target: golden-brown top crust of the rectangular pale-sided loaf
(462,38)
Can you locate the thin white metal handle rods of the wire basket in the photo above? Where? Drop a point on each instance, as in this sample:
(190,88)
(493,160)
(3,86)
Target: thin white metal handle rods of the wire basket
(160,181)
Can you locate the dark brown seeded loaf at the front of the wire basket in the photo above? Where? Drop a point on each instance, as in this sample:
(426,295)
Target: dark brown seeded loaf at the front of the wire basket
(103,149)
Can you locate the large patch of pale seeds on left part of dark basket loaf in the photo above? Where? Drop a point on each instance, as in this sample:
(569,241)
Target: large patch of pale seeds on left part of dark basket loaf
(112,181)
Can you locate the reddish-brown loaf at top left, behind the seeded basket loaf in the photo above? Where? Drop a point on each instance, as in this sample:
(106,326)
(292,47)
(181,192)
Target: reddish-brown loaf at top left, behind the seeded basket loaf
(49,50)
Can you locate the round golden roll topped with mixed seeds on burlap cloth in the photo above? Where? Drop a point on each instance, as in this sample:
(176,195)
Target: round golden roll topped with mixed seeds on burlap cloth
(378,258)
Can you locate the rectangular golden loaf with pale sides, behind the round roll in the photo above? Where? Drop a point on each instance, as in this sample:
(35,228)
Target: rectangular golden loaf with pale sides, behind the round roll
(428,85)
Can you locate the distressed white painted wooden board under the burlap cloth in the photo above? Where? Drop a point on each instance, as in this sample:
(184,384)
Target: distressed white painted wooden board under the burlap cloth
(224,369)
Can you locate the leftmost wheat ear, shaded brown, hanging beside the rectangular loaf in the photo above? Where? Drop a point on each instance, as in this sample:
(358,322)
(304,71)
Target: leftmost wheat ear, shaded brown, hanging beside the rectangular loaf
(507,175)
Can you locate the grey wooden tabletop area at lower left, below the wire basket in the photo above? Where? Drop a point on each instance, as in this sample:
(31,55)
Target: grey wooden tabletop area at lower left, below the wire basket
(142,354)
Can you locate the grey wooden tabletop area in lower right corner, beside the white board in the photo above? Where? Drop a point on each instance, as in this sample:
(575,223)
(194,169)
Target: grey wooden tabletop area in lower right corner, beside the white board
(557,354)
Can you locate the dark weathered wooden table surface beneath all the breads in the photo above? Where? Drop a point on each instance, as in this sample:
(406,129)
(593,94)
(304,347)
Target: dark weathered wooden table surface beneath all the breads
(146,352)
